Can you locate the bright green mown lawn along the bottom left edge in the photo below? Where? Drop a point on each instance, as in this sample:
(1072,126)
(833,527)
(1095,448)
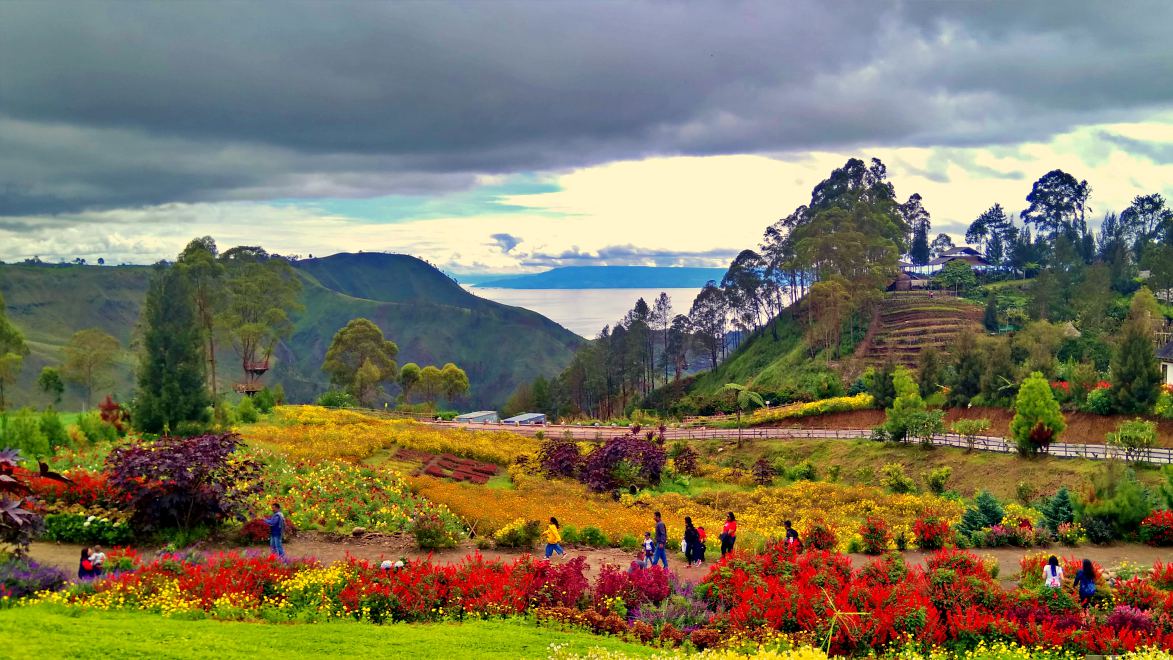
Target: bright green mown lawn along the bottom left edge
(56,632)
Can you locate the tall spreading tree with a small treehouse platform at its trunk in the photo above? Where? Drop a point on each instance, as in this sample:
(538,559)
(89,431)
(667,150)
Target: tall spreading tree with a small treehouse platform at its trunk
(262,292)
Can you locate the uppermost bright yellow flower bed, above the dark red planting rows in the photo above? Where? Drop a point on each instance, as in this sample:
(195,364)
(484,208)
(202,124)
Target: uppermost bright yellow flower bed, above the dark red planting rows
(310,433)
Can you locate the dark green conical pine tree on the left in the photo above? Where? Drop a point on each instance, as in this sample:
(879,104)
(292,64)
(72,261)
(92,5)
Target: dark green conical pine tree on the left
(173,394)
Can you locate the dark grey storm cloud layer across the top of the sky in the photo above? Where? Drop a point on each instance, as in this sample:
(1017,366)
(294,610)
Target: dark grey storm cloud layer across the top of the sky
(131,104)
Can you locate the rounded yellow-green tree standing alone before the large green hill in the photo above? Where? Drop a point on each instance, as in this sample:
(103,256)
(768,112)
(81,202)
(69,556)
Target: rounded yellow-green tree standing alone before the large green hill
(361,360)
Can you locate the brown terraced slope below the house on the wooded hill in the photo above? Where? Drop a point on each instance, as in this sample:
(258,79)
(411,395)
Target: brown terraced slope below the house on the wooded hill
(912,322)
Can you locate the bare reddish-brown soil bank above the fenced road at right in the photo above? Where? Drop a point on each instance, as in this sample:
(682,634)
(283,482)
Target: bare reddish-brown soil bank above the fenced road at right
(1082,427)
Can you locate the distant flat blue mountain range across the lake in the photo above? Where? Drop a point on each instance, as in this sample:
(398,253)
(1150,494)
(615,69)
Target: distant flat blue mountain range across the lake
(605,277)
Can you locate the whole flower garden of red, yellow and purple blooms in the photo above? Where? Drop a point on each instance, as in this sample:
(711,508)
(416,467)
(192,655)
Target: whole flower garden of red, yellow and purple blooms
(336,471)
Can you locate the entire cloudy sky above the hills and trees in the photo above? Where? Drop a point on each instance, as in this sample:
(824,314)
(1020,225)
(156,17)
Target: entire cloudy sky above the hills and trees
(493,137)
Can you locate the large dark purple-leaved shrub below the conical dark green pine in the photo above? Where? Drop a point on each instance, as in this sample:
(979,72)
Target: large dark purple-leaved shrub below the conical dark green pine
(184,482)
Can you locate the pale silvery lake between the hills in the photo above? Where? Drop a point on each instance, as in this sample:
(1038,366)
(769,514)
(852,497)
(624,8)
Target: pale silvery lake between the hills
(585,311)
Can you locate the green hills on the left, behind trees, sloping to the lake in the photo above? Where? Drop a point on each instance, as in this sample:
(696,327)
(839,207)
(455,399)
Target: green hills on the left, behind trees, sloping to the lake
(430,317)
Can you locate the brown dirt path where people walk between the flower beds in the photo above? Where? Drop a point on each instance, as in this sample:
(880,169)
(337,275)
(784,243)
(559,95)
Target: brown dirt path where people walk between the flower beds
(376,549)
